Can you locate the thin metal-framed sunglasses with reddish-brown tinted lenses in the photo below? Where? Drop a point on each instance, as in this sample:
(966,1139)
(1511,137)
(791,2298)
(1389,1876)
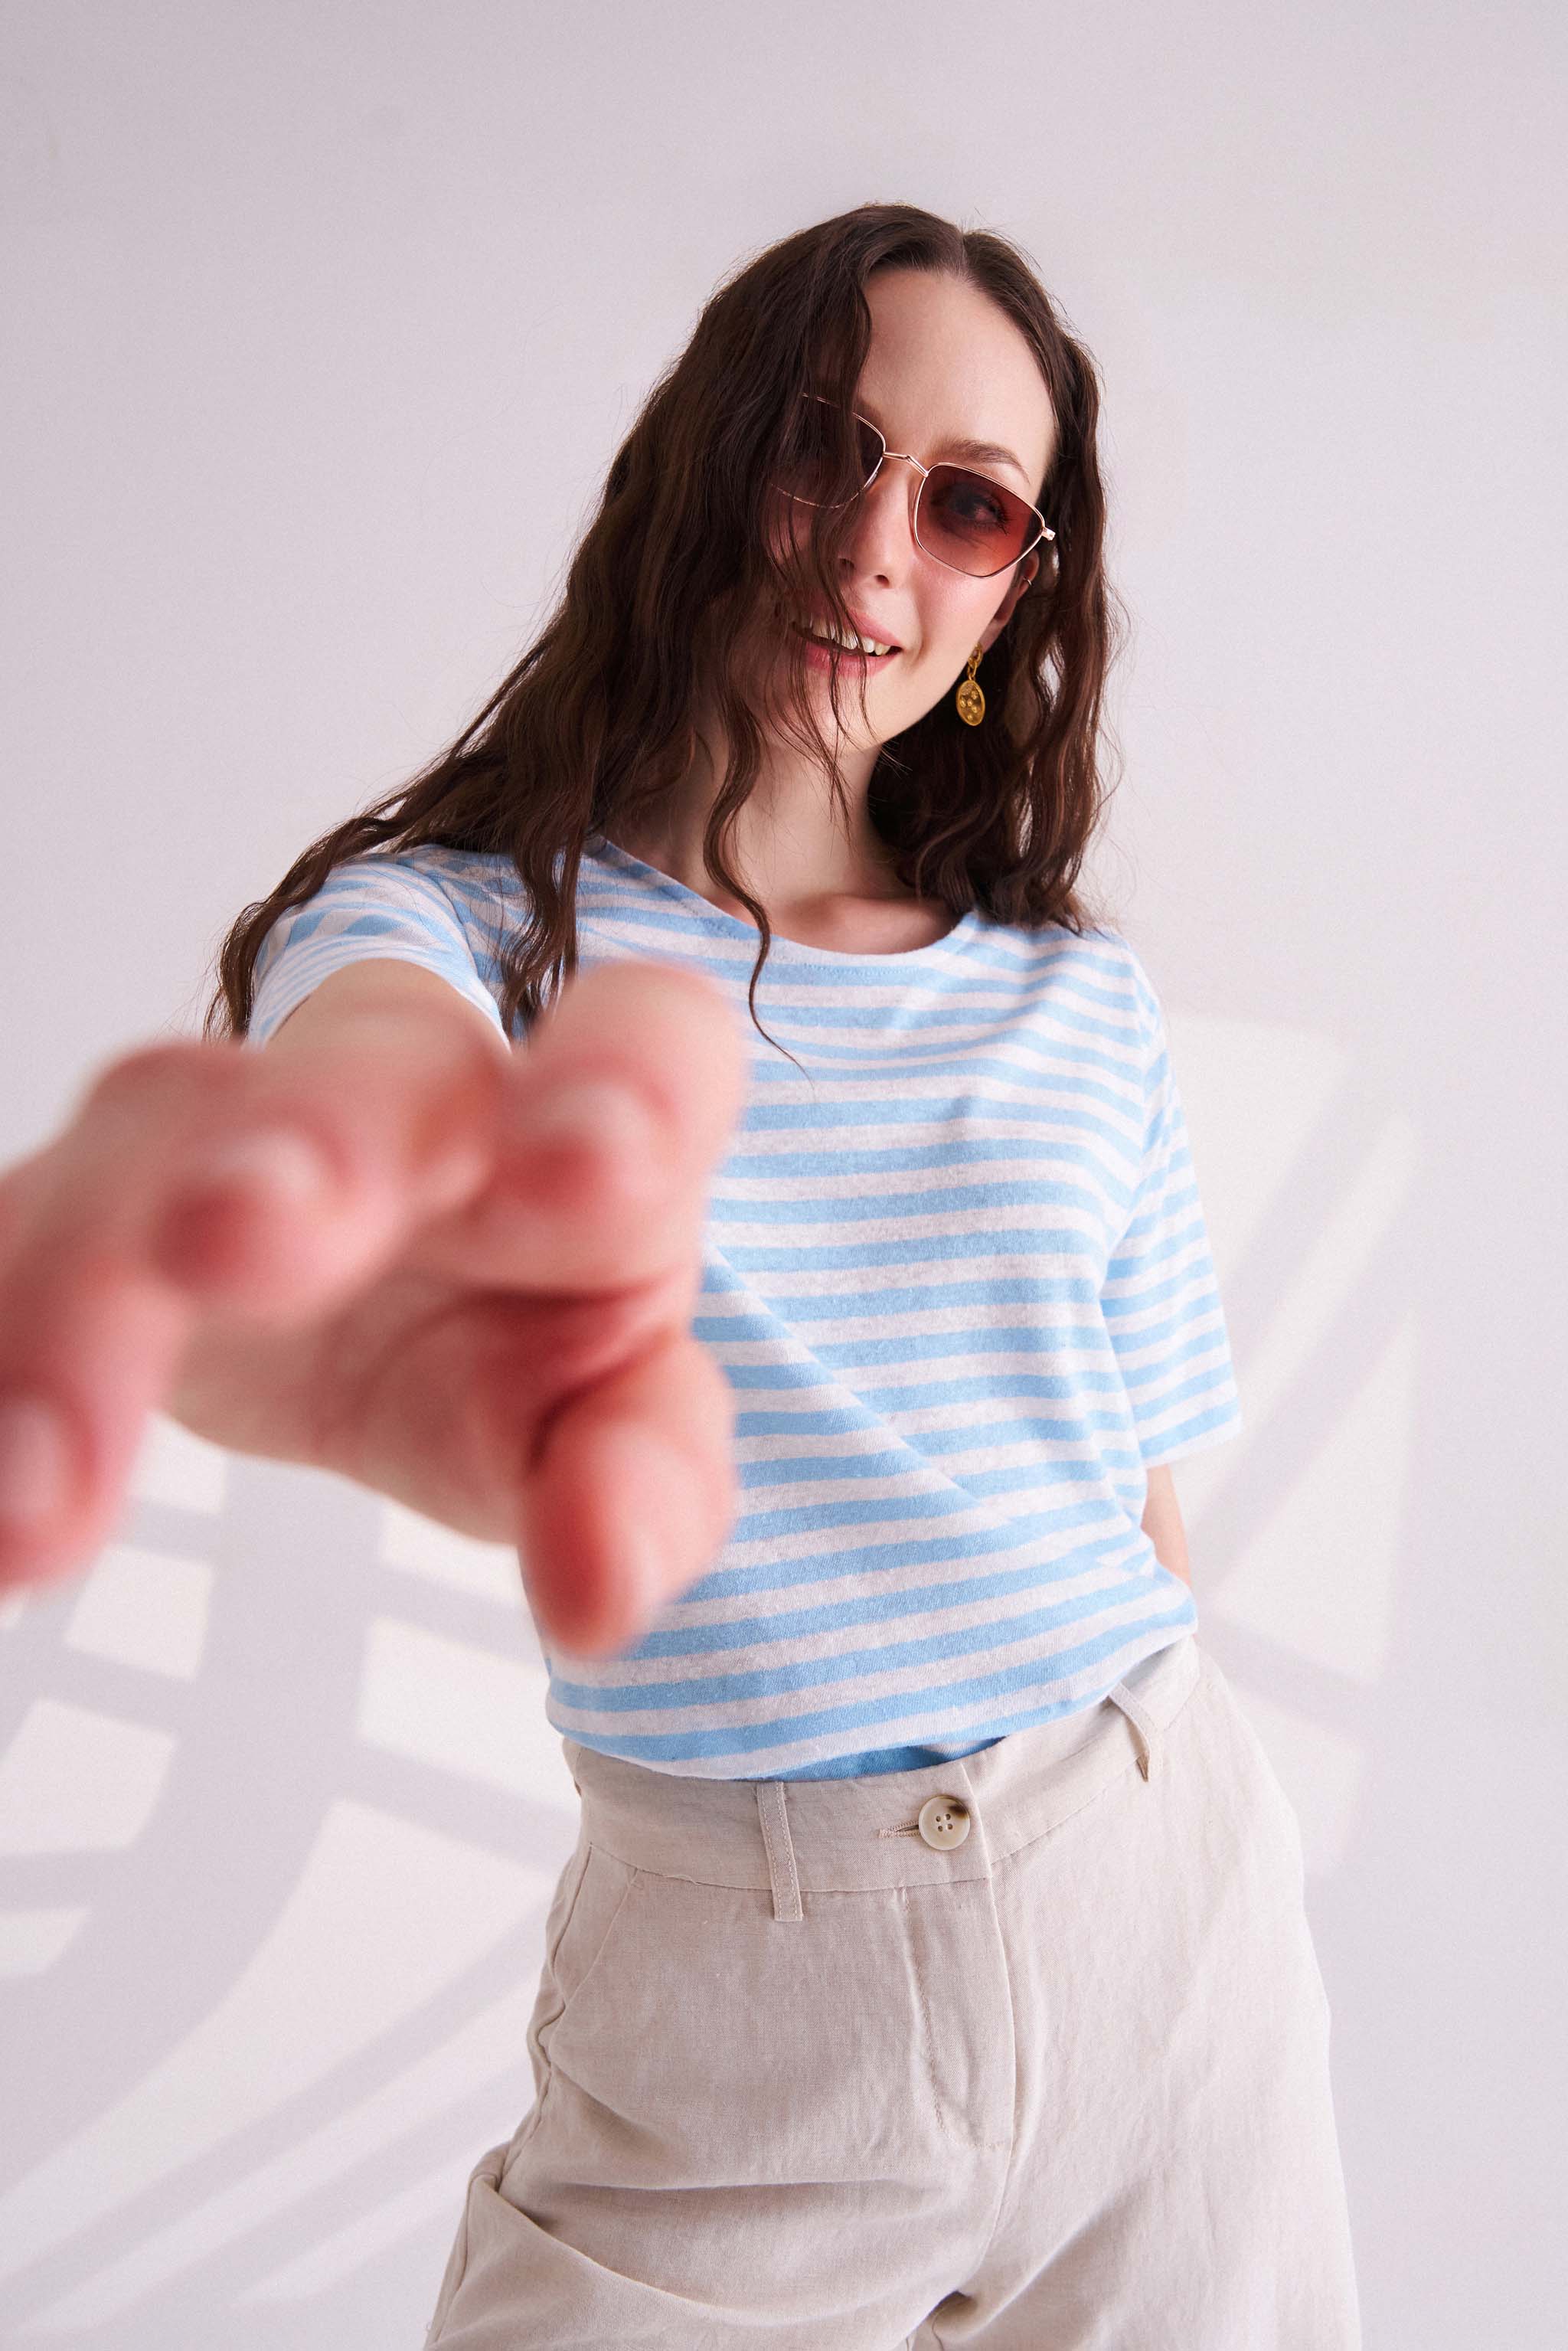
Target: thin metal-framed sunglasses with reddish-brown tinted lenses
(963,518)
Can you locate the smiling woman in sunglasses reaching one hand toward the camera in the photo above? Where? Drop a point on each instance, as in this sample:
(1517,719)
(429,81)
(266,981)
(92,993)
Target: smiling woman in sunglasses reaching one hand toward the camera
(932,1964)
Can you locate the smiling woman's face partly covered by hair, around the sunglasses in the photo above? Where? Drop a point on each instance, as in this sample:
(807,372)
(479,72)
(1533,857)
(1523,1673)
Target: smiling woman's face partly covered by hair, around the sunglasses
(944,368)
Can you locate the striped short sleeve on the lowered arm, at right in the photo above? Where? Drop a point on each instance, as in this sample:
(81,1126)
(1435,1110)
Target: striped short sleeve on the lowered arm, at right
(1162,1297)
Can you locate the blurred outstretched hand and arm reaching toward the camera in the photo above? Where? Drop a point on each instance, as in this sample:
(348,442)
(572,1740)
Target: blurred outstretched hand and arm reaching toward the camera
(391,1245)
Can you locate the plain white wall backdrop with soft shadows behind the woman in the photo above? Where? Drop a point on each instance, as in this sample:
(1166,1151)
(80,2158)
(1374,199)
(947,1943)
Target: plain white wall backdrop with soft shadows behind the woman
(323,328)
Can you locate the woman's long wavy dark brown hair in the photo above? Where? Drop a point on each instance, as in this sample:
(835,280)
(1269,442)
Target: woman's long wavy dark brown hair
(596,723)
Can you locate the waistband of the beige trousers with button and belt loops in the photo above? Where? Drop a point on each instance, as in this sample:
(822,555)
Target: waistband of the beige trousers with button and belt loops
(857,1835)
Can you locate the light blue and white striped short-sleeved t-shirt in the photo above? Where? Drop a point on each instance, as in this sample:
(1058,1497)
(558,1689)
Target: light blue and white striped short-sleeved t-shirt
(960,1282)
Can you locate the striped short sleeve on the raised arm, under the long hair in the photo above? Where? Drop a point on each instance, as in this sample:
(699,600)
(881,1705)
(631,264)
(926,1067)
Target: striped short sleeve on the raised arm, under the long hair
(370,906)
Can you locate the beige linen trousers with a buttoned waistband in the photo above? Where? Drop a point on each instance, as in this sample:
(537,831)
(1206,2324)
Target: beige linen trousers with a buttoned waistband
(1026,2051)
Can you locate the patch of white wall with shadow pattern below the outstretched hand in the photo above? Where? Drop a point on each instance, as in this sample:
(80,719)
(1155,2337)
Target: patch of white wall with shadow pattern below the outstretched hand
(281,1818)
